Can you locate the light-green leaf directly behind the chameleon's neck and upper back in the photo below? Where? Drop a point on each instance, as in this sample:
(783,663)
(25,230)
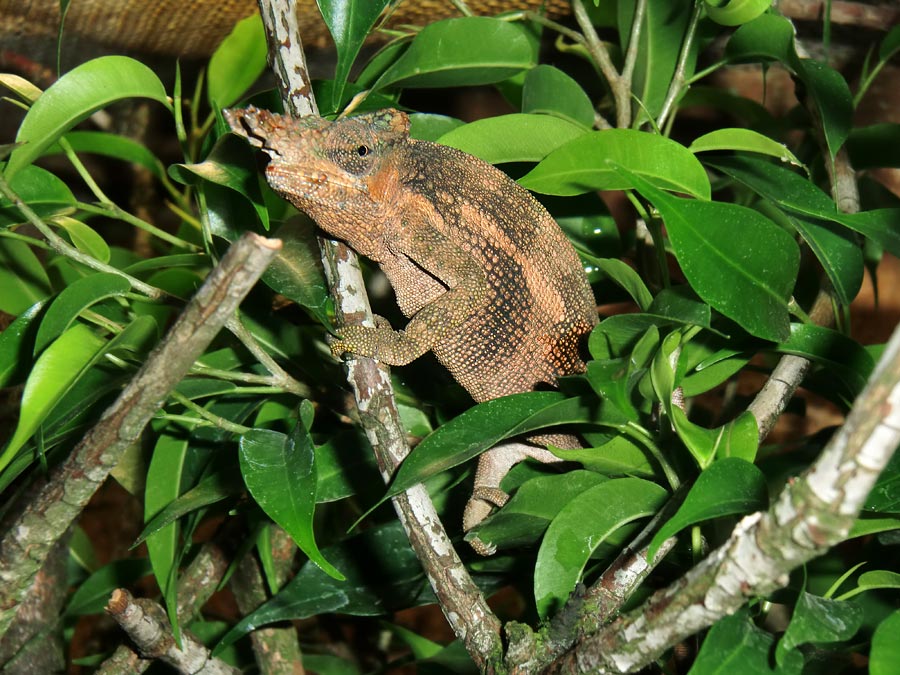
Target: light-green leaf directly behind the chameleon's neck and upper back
(516,137)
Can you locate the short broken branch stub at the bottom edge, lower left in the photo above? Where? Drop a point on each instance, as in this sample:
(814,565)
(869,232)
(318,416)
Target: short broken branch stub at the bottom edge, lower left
(145,623)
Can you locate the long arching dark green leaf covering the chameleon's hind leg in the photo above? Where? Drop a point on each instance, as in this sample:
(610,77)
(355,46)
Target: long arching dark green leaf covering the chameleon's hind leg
(482,427)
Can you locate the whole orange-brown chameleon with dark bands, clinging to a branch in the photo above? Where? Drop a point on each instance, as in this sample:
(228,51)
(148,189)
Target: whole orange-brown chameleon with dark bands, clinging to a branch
(489,282)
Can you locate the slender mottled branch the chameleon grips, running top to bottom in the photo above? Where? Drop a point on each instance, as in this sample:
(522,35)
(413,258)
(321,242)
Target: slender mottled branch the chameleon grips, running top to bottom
(460,599)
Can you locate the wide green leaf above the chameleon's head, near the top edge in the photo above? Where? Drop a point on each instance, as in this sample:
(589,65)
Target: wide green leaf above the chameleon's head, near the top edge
(468,51)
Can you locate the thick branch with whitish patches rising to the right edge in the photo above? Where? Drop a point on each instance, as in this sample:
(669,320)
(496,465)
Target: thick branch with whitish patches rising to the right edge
(812,514)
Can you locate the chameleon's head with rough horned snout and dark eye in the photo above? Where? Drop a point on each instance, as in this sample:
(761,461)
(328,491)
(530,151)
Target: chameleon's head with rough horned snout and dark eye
(334,171)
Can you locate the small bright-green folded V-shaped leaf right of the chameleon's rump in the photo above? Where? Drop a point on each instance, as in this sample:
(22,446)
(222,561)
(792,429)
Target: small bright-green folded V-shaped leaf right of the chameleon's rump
(738,438)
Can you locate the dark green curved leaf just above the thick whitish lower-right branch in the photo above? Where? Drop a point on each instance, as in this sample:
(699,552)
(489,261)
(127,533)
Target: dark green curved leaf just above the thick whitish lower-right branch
(729,487)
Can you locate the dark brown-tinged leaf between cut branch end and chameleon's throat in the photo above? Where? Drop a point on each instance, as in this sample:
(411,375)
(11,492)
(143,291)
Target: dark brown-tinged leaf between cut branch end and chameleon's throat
(296,272)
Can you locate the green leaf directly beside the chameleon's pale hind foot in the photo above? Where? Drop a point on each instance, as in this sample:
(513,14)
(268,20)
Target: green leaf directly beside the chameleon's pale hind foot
(522,521)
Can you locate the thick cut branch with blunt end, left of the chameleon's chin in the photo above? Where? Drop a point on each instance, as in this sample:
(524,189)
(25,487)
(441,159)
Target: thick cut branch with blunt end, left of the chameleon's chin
(42,521)
